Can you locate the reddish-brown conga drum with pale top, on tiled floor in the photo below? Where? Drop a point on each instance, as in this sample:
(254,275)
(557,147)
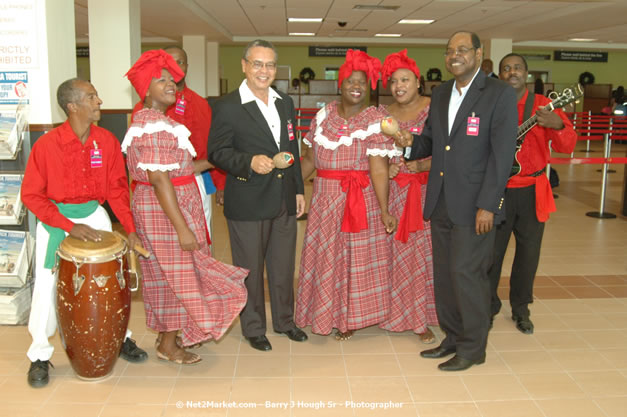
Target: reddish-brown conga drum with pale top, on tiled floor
(93,303)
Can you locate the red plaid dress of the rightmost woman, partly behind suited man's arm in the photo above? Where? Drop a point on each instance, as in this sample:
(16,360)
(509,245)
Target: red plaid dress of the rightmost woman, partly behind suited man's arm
(412,304)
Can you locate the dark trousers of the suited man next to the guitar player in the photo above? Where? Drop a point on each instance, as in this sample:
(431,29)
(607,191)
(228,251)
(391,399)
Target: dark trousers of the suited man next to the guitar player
(461,259)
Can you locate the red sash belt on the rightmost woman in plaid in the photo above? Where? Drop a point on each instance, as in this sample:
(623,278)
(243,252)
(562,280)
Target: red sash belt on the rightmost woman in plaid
(411,219)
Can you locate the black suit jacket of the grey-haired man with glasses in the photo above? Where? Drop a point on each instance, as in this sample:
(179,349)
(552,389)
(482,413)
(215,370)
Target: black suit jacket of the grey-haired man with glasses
(238,132)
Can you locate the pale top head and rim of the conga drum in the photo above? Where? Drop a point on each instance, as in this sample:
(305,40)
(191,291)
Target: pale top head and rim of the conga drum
(110,247)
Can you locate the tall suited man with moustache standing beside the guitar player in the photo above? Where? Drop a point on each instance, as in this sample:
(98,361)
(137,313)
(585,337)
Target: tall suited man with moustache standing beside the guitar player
(471,134)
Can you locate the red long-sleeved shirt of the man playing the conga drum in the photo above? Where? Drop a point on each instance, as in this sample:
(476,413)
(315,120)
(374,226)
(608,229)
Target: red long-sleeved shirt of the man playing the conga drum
(59,169)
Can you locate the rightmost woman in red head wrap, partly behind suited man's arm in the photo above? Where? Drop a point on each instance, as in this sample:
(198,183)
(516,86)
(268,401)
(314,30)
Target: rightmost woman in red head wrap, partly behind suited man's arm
(412,300)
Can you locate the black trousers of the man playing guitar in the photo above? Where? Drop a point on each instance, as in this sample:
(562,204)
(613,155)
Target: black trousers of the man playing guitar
(520,212)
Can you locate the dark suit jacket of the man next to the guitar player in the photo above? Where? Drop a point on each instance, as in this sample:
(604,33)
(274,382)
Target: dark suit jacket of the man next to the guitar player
(472,170)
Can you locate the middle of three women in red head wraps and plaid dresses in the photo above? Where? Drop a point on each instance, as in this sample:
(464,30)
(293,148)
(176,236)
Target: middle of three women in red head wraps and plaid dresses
(344,270)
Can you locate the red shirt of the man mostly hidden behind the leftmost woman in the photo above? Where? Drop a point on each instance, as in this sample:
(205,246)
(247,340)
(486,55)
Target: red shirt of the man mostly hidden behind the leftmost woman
(197,118)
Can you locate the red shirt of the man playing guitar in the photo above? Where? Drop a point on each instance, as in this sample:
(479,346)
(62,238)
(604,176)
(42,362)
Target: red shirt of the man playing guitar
(534,154)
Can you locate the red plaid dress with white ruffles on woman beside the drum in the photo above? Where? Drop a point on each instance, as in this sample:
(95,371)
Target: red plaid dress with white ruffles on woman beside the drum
(183,290)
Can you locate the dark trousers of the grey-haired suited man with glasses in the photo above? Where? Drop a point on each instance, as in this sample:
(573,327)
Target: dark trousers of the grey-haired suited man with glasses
(271,242)
